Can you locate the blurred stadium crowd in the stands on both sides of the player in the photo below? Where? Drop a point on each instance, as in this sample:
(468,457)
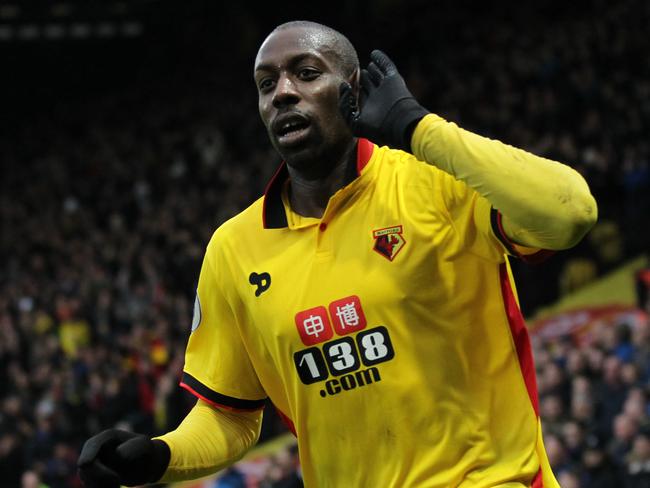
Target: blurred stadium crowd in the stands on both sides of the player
(107,202)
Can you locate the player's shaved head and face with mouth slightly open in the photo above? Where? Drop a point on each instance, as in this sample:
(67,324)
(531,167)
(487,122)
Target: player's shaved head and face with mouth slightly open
(299,69)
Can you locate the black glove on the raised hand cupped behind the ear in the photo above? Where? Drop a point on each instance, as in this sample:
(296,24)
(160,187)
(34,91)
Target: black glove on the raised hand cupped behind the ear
(386,113)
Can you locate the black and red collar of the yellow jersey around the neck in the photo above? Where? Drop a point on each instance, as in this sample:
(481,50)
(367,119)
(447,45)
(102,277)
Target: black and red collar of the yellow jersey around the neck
(273,211)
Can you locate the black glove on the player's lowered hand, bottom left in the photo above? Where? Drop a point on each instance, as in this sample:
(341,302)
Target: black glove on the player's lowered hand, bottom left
(116,457)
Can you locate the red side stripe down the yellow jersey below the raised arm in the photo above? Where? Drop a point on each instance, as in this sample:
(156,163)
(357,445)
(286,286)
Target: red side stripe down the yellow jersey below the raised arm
(520,336)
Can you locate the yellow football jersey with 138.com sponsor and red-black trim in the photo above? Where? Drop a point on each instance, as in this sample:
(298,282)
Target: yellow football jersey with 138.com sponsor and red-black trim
(387,332)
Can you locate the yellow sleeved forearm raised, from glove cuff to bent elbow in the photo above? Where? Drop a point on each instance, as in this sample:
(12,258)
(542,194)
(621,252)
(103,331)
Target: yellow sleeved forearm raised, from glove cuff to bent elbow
(543,203)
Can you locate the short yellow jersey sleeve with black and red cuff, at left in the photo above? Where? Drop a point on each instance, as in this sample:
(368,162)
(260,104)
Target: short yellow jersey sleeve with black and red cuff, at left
(217,366)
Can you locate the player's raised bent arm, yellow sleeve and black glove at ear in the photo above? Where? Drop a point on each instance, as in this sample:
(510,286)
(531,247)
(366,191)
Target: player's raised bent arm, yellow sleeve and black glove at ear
(543,203)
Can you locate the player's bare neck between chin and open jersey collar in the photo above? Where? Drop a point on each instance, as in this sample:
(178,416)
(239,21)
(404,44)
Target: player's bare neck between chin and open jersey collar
(309,193)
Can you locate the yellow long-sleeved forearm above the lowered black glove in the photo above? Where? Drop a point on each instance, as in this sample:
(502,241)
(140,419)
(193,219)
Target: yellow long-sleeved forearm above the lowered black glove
(208,440)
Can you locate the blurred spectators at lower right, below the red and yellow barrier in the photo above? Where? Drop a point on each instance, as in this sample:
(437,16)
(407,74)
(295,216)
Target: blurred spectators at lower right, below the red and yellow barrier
(594,400)
